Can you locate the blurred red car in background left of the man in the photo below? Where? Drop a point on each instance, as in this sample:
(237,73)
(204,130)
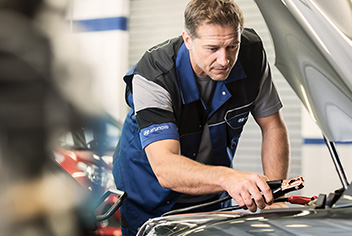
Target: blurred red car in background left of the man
(86,154)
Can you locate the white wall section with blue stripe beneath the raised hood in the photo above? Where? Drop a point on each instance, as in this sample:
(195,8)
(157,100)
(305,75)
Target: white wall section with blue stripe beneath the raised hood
(317,166)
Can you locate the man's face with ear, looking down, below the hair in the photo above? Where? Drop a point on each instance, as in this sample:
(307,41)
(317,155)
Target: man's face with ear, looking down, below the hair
(214,52)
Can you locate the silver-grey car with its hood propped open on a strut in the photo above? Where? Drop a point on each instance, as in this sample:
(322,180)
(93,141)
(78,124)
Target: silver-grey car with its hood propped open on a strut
(313,46)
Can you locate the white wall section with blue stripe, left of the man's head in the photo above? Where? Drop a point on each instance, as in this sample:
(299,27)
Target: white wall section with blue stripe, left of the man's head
(101,28)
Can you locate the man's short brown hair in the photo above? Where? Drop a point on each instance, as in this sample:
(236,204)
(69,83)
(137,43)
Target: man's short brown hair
(217,12)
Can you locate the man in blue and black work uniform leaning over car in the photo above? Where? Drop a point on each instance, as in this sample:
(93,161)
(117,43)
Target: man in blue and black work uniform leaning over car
(190,98)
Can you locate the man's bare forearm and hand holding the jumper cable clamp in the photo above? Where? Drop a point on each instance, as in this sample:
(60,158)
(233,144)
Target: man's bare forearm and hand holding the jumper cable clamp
(184,175)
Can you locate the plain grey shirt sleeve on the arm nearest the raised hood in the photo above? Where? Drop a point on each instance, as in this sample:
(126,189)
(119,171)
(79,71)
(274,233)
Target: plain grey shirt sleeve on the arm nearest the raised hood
(268,101)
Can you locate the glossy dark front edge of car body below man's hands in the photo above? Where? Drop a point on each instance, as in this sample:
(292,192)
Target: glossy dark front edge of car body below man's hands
(283,222)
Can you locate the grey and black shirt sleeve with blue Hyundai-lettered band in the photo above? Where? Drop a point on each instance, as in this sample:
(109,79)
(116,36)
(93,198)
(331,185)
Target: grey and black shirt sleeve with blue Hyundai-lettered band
(153,110)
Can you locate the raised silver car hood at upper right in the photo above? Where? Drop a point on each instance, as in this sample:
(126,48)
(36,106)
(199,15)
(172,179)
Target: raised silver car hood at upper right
(313,48)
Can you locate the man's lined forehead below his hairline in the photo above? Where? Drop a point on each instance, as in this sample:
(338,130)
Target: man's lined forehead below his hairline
(213,33)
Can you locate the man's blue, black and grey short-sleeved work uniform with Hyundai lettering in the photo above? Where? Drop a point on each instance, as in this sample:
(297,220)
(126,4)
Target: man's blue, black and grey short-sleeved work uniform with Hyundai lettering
(166,103)
